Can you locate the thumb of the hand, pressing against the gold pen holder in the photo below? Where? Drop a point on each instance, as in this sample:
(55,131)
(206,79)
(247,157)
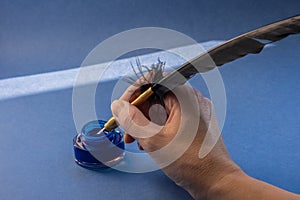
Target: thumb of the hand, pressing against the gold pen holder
(133,120)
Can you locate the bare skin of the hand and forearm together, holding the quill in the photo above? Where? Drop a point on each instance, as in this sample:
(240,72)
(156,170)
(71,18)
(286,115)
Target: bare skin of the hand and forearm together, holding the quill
(214,176)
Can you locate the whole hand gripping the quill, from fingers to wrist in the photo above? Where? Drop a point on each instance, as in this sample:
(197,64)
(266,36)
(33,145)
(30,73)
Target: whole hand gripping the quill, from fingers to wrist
(174,133)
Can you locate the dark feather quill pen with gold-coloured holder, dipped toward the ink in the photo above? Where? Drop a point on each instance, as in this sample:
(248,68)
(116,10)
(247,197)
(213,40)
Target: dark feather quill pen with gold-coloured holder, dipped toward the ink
(249,43)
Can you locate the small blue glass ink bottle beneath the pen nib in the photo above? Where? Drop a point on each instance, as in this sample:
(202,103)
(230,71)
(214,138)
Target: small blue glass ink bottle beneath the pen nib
(96,148)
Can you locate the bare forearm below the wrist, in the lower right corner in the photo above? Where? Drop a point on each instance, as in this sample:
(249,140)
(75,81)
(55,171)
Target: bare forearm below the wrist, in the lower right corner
(238,186)
